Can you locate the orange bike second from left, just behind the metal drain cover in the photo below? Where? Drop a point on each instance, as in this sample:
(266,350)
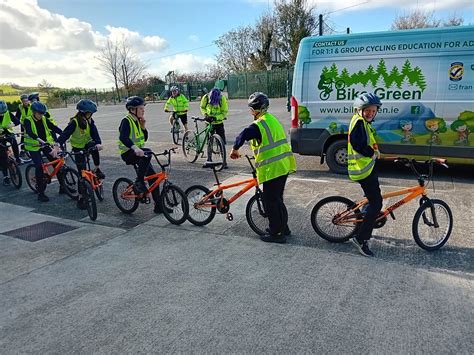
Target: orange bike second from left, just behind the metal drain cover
(67,176)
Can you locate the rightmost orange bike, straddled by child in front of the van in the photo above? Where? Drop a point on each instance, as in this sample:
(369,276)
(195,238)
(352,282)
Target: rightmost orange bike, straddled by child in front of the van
(337,218)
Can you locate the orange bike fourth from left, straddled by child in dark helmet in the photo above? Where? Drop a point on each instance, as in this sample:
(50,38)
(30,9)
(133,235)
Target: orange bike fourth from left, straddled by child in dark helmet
(173,200)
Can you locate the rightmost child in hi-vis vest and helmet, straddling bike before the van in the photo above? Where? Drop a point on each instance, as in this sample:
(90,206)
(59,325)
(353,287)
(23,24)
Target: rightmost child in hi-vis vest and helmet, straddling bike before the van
(362,153)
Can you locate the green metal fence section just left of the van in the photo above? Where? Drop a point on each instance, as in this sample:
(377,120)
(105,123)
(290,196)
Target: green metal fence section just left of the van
(274,83)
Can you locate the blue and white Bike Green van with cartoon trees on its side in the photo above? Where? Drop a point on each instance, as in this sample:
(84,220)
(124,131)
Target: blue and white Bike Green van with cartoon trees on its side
(425,79)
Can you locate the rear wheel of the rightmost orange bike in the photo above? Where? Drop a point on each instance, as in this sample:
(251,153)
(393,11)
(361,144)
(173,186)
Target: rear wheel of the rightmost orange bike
(323,215)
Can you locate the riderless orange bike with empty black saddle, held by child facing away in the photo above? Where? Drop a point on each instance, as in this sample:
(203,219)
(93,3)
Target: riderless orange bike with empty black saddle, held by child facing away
(204,203)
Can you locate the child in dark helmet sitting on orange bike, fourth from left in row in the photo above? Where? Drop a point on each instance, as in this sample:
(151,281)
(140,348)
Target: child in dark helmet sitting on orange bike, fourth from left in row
(132,137)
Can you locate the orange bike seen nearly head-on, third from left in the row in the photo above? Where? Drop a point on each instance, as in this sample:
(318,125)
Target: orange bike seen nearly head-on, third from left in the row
(89,184)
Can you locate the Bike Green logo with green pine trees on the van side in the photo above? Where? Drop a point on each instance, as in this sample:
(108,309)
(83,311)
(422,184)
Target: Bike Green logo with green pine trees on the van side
(379,78)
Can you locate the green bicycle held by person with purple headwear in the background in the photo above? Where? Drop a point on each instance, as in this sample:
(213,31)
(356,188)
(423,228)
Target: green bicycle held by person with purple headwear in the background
(194,143)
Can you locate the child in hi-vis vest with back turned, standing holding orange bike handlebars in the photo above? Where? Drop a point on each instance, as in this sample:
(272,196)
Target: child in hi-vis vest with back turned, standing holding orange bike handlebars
(274,161)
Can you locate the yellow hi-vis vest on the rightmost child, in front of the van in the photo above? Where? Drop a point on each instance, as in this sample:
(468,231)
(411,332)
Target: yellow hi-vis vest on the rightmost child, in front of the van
(358,165)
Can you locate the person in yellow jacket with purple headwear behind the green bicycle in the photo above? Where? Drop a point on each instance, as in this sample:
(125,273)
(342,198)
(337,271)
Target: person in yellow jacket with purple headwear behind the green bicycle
(214,107)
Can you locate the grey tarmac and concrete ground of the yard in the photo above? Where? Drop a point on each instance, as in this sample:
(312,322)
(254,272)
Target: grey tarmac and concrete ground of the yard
(136,283)
